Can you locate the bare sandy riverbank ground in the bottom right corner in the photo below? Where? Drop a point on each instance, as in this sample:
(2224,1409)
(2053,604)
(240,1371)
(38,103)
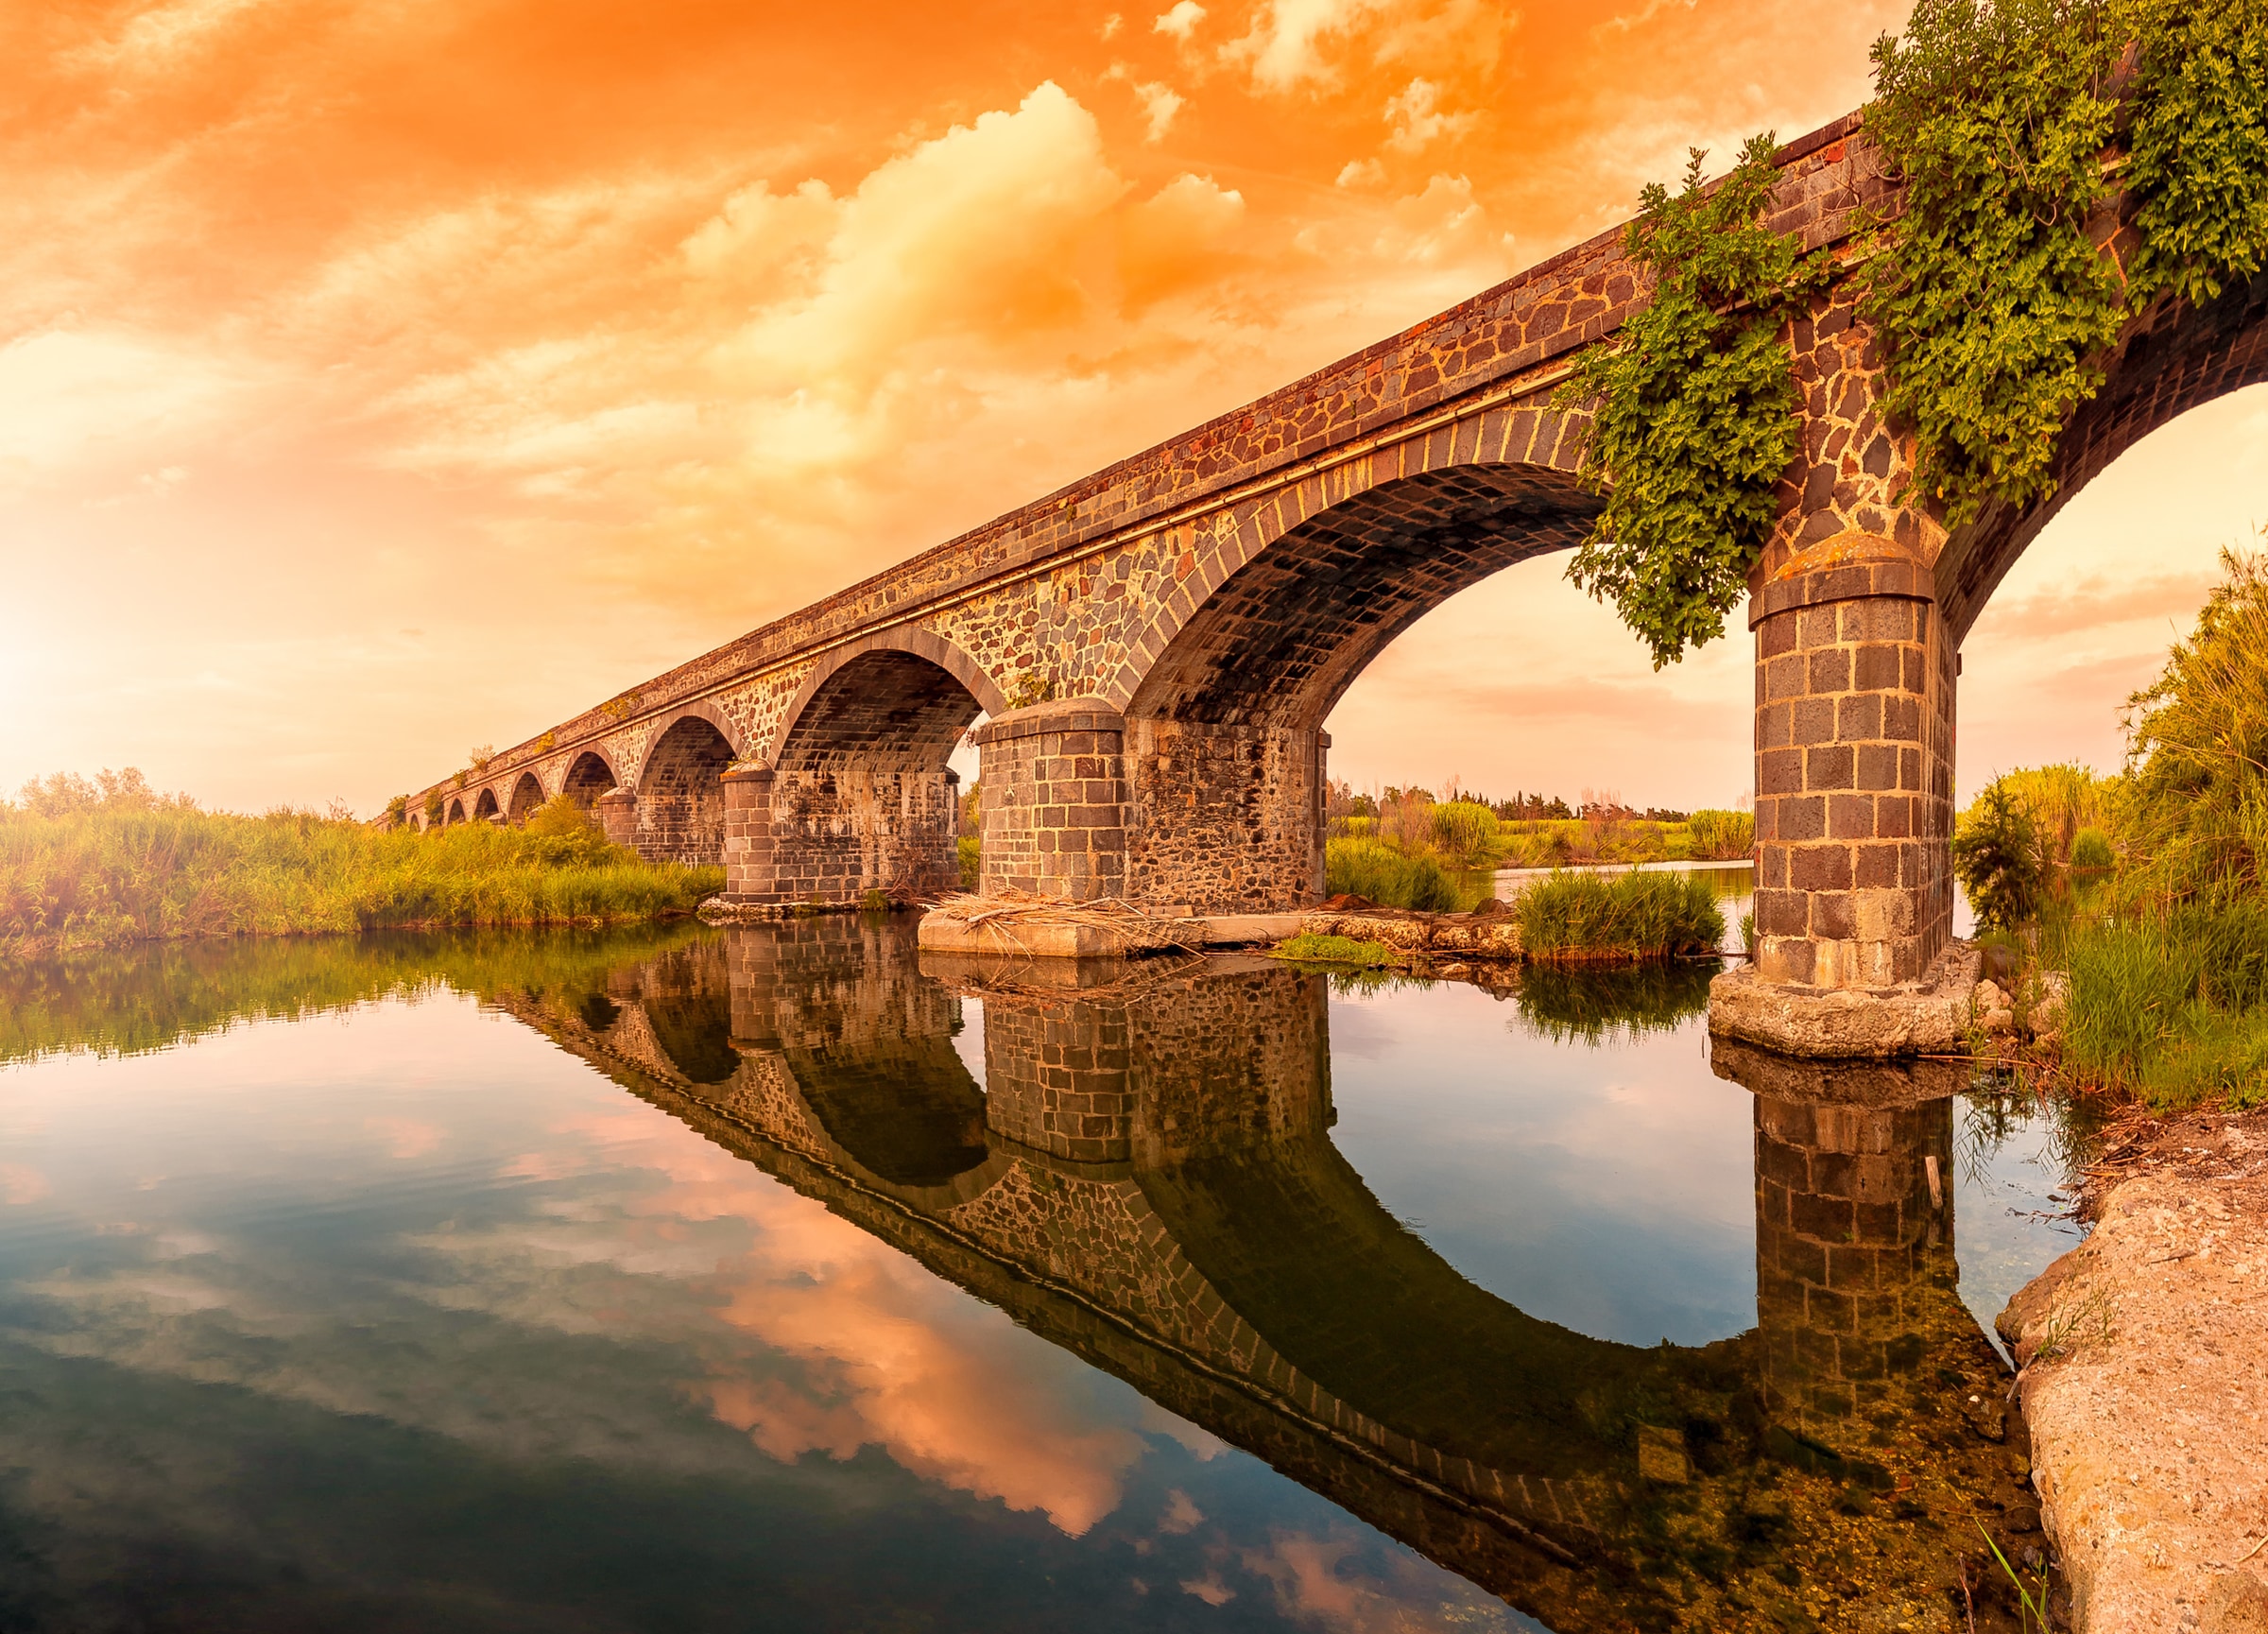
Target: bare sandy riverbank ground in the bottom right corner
(2144,1381)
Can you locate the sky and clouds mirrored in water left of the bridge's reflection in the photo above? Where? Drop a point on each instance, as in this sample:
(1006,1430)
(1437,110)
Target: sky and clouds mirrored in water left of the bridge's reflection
(475,1274)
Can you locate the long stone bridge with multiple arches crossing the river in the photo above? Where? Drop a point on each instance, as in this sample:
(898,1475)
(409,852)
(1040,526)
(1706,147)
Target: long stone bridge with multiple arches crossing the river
(1158,646)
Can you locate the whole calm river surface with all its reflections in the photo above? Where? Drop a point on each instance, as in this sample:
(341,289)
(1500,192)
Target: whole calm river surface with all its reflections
(786,1279)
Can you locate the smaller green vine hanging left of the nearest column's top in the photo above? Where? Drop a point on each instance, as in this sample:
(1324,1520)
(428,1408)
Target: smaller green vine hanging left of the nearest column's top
(1695,407)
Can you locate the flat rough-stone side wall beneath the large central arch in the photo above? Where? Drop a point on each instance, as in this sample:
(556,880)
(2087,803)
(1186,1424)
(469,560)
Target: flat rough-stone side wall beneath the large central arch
(1226,818)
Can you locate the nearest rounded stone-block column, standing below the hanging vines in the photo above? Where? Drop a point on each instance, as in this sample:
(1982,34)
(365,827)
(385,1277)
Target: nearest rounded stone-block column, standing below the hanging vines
(1854,768)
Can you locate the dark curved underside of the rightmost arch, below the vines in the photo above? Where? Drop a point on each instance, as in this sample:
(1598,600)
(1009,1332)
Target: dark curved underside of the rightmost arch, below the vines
(2174,360)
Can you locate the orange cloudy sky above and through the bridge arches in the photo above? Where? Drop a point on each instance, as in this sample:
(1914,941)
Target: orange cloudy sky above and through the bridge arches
(382,380)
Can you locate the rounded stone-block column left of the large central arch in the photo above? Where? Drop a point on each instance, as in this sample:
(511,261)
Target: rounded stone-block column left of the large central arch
(1053,811)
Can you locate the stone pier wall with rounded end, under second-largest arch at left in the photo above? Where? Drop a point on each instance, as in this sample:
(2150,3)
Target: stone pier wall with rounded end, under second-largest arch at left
(831,836)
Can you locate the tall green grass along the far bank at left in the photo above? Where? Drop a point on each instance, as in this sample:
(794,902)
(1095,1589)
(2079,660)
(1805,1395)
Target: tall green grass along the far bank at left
(108,877)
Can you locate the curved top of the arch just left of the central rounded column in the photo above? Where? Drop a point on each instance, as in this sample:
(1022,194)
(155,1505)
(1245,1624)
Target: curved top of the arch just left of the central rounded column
(902,698)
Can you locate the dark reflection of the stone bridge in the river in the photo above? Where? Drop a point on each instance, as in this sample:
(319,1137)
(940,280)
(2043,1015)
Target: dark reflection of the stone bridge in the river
(1146,1179)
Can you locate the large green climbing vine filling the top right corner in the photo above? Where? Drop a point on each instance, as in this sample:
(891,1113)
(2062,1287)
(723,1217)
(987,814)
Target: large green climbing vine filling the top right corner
(1992,298)
